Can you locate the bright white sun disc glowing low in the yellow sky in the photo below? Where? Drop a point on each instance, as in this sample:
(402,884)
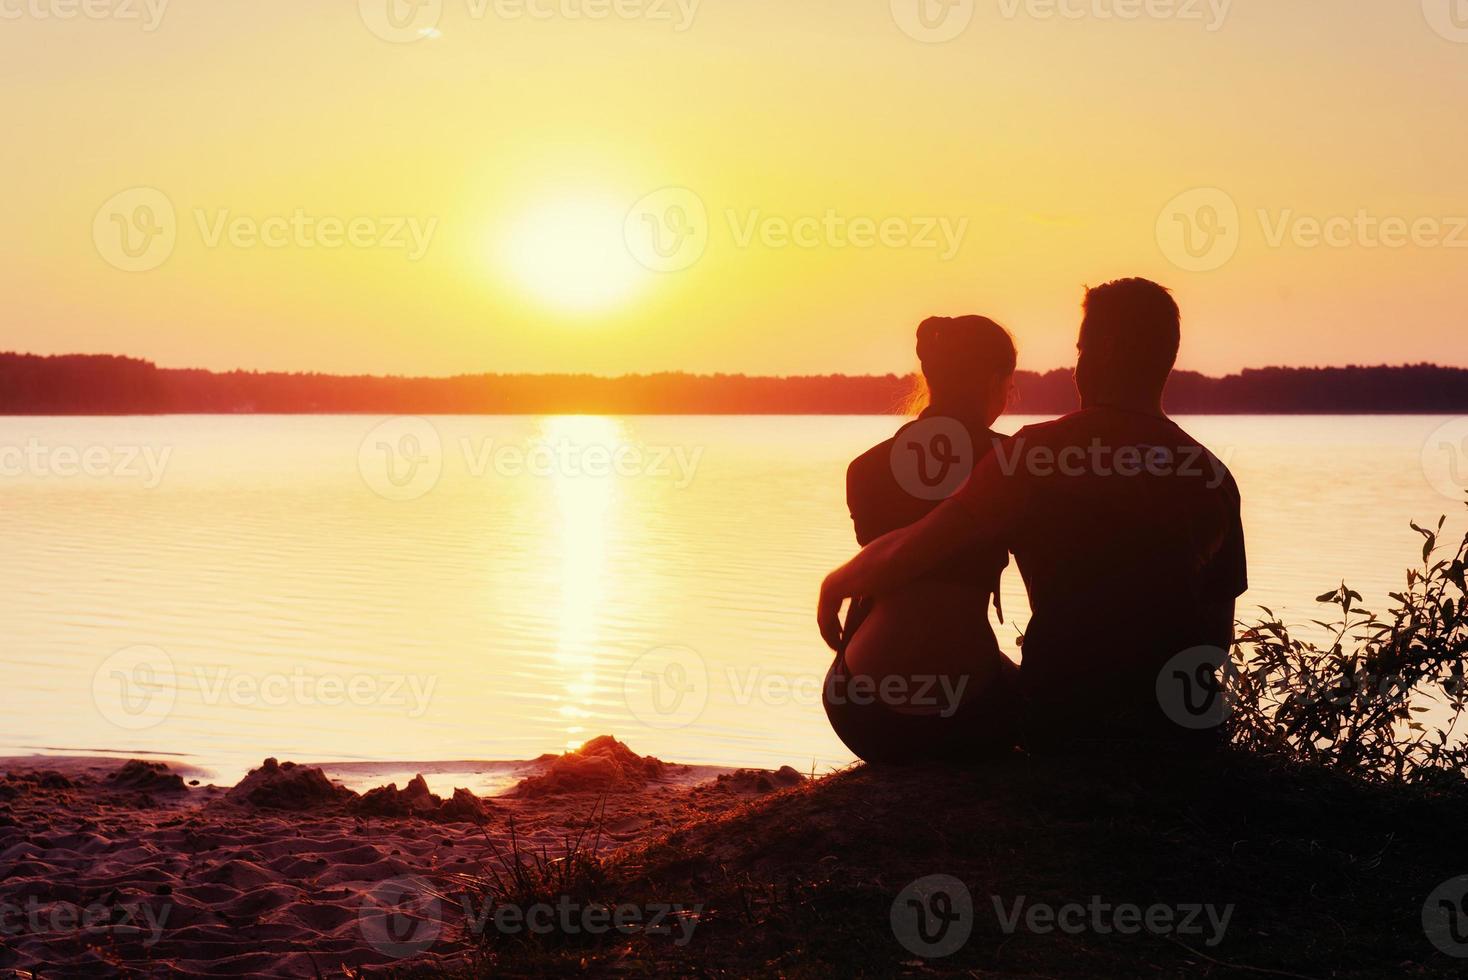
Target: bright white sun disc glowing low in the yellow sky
(573,255)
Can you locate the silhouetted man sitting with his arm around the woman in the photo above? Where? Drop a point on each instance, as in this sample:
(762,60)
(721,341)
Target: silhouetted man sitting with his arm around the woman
(1125,529)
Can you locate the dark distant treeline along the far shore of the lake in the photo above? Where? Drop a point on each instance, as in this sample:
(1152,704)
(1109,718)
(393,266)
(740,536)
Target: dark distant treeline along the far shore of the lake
(101,385)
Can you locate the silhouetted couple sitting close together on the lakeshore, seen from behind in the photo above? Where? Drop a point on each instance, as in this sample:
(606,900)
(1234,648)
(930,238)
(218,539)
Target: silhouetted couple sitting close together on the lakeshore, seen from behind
(1125,529)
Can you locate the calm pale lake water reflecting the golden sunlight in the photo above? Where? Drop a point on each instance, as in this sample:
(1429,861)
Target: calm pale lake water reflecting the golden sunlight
(365,589)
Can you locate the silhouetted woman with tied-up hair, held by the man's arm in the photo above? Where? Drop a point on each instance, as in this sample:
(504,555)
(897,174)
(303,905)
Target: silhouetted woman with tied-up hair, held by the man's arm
(921,676)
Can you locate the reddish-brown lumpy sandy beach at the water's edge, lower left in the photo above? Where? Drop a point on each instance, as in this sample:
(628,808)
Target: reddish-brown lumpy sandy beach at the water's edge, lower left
(145,869)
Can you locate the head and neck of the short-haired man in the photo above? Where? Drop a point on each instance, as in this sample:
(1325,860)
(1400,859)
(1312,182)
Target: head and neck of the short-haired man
(1128,344)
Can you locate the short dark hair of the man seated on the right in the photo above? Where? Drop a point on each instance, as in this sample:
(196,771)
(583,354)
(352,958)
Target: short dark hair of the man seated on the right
(1137,329)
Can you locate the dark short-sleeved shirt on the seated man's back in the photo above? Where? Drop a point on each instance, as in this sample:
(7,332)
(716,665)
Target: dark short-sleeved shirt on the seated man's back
(1128,536)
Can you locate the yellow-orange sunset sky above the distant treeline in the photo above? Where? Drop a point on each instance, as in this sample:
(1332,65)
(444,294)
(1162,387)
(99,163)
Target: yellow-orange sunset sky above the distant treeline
(503,168)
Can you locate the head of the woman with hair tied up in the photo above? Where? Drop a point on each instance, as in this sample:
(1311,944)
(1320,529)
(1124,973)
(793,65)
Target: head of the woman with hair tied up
(968,365)
